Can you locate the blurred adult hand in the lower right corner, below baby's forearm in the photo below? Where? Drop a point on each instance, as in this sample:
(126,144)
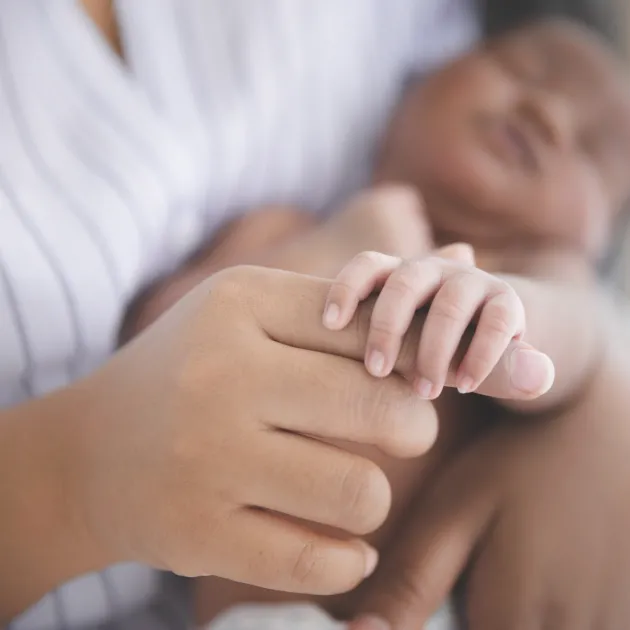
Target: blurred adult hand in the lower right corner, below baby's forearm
(540,509)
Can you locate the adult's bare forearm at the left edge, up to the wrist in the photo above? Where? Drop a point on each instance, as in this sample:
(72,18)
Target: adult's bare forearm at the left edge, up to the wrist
(42,540)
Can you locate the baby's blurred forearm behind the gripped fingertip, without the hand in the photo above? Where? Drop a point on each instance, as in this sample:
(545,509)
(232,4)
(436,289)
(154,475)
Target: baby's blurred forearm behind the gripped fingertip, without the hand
(569,323)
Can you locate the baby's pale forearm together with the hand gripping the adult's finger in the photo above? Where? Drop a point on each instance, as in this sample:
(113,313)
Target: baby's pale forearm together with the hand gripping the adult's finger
(559,310)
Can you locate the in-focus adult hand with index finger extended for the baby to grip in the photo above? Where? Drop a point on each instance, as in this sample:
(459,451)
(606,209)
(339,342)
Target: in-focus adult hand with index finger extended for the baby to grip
(198,450)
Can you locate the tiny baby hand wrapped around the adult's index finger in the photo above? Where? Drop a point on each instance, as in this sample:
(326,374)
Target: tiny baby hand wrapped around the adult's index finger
(459,293)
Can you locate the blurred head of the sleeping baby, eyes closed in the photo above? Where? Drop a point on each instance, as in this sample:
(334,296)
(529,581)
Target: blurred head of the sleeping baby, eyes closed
(526,138)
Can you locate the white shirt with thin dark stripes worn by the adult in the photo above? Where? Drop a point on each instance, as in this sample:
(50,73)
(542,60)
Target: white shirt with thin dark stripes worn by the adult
(111,173)
